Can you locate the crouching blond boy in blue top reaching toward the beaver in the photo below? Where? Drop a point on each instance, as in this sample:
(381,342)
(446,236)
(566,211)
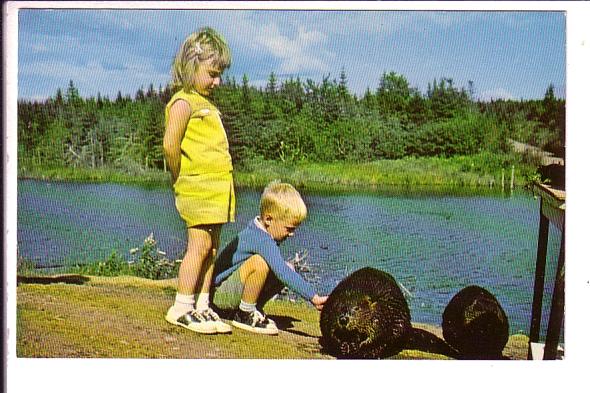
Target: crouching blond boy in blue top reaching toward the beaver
(251,270)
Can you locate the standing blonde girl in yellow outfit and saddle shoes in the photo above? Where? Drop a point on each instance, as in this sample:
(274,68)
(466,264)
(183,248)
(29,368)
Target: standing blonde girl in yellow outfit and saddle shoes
(197,153)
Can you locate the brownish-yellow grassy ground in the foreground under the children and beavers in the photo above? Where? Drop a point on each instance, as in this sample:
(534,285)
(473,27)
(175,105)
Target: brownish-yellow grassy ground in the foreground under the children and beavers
(77,316)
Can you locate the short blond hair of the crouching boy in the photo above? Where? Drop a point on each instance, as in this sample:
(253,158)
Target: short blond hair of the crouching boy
(282,200)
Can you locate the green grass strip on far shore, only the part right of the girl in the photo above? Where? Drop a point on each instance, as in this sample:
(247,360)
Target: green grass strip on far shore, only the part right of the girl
(462,171)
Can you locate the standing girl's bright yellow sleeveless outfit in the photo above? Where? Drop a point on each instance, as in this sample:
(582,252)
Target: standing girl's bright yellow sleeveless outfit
(204,189)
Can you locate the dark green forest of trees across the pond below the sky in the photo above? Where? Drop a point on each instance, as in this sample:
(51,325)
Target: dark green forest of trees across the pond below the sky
(290,121)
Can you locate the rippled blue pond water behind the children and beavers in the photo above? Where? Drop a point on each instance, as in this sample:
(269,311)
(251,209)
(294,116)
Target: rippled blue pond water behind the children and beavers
(433,244)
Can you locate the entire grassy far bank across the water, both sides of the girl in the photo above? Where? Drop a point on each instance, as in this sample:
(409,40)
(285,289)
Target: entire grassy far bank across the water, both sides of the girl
(483,170)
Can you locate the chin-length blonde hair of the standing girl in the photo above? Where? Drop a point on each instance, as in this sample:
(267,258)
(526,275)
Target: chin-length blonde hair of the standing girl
(196,48)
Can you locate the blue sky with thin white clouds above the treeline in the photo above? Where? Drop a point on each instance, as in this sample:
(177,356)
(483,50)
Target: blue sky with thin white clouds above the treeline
(506,54)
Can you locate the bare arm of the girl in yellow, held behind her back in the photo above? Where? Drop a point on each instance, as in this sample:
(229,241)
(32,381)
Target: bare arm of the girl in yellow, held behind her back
(178,118)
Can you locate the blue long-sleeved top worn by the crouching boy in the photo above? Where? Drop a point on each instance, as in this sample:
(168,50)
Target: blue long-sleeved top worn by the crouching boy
(254,241)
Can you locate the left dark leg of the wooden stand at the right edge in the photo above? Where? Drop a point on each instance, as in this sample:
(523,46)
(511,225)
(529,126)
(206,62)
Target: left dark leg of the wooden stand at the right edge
(539,281)
